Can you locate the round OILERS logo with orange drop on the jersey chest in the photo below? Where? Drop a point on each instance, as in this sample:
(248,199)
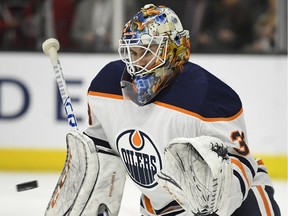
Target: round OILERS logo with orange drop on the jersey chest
(140,156)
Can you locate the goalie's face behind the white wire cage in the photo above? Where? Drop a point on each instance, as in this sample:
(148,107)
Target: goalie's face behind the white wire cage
(143,57)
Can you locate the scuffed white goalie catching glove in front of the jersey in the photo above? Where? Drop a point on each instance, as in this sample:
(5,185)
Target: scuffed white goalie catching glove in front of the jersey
(197,173)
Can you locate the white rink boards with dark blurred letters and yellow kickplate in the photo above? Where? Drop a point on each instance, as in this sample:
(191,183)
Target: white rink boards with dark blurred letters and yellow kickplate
(33,126)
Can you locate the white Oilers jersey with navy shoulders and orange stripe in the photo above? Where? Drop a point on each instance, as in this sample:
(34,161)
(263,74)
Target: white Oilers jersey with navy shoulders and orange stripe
(196,103)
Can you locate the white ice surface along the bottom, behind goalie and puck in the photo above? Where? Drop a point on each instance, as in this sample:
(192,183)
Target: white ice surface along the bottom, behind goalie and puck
(33,202)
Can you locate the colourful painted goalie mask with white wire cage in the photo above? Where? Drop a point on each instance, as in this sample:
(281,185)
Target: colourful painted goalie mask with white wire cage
(154,46)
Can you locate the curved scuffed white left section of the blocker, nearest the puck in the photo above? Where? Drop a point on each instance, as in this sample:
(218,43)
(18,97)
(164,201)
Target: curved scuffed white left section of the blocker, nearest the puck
(78,176)
